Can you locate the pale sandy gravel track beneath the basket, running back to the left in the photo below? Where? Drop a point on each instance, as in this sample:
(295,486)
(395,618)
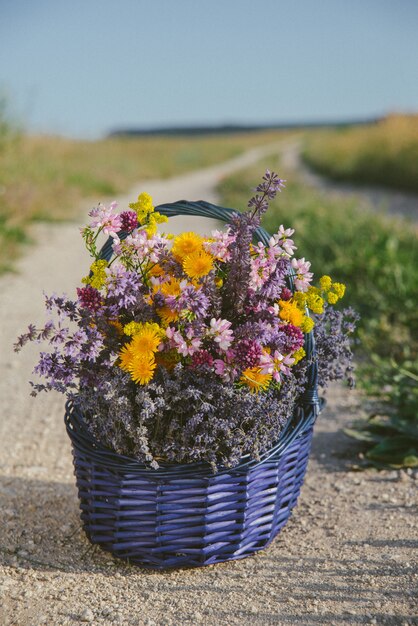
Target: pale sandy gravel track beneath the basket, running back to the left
(347,556)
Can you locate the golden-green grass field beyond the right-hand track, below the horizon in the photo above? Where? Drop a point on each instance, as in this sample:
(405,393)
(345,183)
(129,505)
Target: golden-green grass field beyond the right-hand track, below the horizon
(384,154)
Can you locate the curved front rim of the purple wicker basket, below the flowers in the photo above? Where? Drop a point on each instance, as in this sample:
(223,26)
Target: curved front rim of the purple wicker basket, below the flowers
(301,421)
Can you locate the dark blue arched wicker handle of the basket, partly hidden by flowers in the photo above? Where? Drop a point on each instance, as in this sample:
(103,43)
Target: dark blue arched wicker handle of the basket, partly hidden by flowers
(310,398)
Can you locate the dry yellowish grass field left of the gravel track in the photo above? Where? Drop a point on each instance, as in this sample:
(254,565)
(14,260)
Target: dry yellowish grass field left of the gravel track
(45,178)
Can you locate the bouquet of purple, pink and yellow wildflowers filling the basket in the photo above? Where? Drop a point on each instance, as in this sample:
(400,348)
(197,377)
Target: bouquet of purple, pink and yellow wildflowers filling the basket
(191,348)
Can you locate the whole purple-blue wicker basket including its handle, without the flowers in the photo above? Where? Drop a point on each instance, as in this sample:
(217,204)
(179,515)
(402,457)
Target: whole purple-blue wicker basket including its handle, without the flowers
(185,515)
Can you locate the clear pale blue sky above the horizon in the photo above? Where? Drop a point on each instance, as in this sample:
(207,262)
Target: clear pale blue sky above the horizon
(84,67)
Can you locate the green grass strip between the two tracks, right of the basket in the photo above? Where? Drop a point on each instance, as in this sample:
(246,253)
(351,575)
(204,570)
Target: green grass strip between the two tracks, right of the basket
(378,260)
